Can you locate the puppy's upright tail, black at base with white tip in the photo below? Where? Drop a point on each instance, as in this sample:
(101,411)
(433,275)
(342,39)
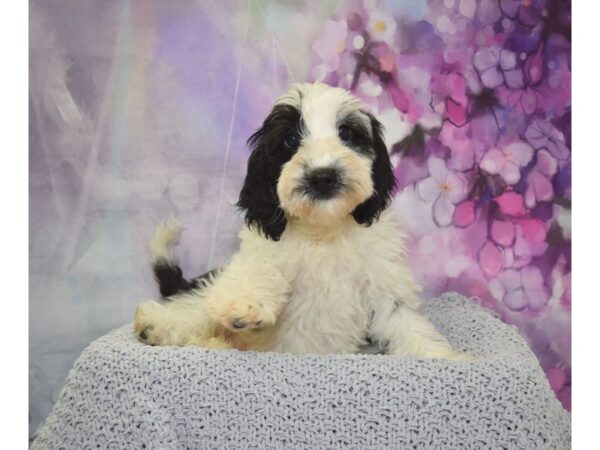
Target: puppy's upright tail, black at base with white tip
(166,270)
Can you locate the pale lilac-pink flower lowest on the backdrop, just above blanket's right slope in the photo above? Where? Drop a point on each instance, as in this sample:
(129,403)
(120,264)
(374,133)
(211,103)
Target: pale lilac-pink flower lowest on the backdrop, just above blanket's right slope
(521,289)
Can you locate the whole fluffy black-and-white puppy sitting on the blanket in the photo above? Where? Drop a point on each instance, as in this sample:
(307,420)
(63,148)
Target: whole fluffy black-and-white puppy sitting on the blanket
(322,264)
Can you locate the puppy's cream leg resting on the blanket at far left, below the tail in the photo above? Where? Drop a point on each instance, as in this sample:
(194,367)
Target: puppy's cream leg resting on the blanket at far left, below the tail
(182,321)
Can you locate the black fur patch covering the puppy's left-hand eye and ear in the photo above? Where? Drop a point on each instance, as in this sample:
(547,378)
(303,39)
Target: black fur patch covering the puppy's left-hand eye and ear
(258,197)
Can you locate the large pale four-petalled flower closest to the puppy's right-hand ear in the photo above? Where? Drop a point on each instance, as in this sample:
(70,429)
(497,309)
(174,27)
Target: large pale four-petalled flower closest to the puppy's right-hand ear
(444,188)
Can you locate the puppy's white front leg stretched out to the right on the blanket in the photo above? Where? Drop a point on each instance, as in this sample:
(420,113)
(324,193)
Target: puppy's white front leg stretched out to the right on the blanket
(408,332)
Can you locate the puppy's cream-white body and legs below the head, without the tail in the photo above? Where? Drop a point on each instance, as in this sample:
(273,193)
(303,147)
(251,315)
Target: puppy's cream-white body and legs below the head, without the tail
(317,290)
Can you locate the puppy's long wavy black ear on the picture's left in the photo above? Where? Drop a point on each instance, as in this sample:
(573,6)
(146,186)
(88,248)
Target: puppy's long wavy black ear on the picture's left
(258,197)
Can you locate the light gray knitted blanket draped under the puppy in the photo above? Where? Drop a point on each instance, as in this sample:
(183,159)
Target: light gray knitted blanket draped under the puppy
(124,395)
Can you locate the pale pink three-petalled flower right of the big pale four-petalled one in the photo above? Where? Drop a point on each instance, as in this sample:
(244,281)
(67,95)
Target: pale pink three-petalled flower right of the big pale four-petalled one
(508,161)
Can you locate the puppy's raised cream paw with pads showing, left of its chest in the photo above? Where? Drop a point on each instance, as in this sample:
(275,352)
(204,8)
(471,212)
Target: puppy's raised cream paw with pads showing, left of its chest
(239,315)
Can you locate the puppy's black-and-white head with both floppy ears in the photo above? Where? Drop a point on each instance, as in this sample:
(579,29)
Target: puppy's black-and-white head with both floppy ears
(318,157)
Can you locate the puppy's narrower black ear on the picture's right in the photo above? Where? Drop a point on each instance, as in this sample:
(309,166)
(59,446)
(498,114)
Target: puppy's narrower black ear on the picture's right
(384,180)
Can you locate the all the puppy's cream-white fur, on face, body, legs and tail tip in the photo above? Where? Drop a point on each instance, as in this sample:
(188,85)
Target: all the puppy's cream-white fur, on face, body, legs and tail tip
(325,285)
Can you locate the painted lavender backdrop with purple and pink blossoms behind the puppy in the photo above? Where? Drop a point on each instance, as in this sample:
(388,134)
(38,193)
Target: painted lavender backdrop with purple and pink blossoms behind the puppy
(139,109)
